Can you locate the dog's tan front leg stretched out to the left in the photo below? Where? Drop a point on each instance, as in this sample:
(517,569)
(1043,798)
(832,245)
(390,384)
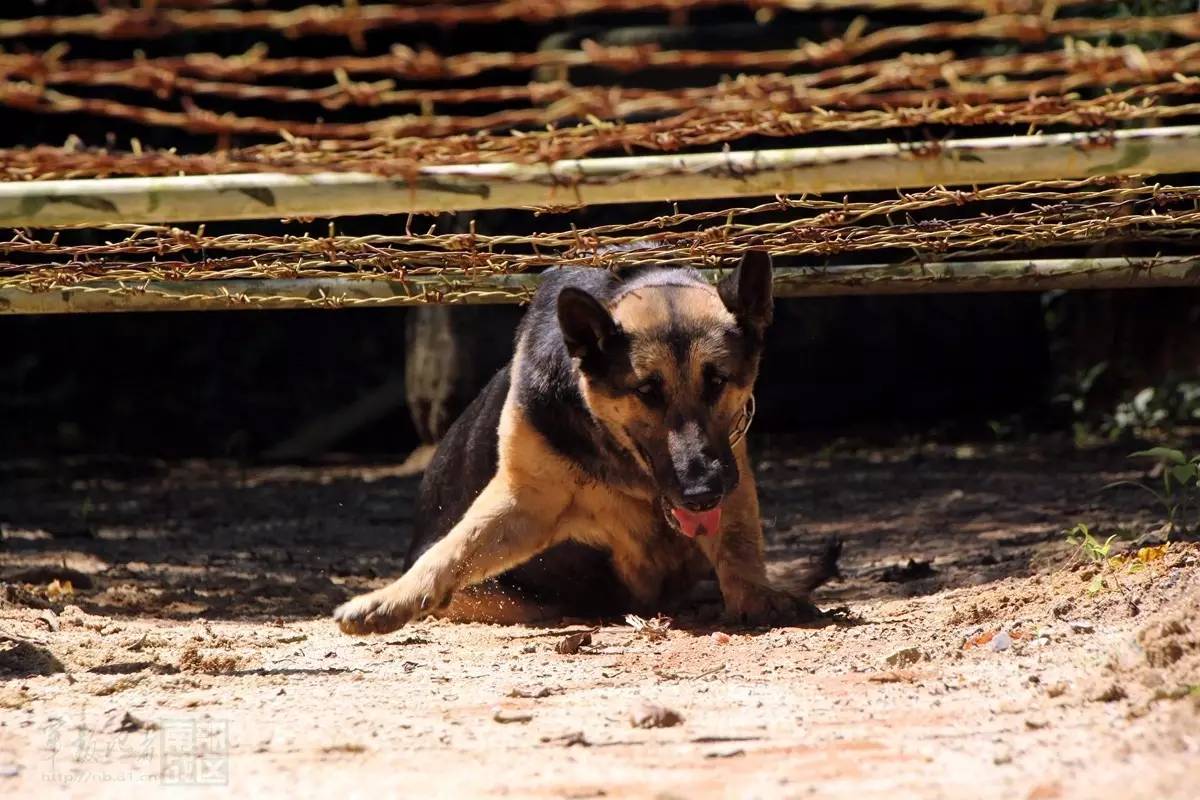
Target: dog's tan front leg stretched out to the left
(506,526)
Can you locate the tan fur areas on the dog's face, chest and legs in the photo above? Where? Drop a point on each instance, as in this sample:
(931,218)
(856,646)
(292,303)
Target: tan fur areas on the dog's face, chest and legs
(539,498)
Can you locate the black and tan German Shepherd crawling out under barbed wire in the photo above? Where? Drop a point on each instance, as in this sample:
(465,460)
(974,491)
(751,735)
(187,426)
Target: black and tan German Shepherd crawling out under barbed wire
(605,468)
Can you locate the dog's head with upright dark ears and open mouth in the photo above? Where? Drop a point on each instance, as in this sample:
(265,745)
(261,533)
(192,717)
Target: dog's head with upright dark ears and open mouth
(669,369)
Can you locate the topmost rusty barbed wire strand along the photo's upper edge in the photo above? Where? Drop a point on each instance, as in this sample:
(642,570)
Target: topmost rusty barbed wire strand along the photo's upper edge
(355,20)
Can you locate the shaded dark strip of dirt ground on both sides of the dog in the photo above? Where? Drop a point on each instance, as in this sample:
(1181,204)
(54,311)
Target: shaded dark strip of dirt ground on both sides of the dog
(212,540)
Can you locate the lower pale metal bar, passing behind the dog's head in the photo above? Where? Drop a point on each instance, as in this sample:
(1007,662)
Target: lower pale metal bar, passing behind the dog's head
(790,282)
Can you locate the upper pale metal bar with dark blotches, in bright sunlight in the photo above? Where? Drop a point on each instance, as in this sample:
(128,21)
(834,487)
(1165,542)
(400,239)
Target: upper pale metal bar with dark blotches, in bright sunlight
(635,179)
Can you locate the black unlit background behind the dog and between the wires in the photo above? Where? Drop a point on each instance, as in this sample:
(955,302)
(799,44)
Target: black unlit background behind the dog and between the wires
(237,384)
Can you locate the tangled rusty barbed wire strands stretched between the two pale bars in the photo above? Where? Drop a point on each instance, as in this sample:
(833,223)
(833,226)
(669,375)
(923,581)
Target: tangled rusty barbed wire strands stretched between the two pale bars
(1148,220)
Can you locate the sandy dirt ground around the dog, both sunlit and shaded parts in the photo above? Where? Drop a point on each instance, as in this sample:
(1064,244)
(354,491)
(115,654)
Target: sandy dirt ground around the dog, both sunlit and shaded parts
(193,648)
